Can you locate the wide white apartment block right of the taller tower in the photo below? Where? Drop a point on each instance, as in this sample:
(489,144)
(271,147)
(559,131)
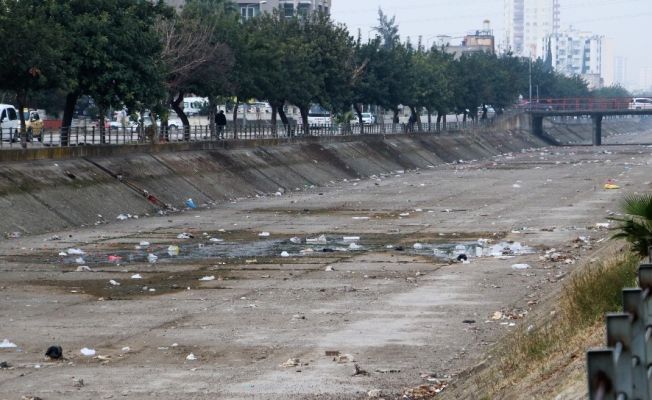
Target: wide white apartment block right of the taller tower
(580,53)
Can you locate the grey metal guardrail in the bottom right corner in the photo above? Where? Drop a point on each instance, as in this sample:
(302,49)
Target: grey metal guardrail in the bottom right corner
(623,370)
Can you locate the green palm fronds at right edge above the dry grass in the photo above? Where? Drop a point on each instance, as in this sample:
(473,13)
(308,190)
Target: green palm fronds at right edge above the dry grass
(636,224)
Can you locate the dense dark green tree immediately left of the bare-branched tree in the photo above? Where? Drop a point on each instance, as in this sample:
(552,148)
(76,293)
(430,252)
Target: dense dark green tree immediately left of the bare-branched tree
(115,56)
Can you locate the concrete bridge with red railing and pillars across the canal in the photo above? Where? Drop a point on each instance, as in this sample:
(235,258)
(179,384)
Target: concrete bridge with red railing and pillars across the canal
(595,108)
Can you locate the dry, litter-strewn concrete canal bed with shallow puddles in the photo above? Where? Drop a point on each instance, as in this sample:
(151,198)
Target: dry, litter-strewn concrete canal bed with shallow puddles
(251,316)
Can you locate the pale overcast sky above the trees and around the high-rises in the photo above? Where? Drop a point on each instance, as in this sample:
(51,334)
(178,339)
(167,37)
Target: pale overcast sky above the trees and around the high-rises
(628,23)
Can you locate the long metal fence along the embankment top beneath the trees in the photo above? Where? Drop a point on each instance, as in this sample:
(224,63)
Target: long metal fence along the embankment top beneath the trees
(80,136)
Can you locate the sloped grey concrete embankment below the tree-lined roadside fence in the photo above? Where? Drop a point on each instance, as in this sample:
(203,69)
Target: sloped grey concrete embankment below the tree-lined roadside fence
(47,195)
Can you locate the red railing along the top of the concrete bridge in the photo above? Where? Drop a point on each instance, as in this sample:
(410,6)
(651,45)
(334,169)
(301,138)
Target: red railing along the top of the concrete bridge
(580,104)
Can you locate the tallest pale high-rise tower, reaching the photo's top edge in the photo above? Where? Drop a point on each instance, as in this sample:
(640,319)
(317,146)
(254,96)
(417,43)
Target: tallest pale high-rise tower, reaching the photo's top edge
(527,25)
